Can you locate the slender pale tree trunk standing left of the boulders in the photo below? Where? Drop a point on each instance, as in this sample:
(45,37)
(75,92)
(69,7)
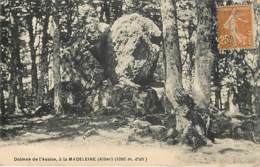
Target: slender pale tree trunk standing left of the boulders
(56,61)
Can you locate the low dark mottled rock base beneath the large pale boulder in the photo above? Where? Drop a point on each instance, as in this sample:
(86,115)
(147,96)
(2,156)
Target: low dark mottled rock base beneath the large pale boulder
(125,99)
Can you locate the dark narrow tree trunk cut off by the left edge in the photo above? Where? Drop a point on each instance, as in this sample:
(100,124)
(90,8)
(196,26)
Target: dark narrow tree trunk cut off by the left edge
(2,103)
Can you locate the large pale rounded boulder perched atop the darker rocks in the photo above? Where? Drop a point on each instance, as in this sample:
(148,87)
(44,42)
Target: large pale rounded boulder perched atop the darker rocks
(136,52)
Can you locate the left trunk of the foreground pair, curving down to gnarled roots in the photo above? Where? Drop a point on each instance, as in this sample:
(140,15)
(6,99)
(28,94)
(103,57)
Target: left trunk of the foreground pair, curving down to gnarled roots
(181,104)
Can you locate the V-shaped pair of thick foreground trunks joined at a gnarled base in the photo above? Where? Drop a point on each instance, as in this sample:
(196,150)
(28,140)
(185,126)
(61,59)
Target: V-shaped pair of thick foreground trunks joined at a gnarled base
(191,113)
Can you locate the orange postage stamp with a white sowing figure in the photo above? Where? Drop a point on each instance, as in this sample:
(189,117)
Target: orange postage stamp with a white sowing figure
(235,27)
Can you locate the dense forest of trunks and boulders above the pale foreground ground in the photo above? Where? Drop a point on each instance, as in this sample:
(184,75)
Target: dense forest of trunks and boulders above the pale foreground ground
(70,67)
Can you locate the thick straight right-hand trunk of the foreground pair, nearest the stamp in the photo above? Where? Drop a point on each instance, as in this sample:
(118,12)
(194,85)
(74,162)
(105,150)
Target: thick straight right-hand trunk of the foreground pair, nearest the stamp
(203,57)
